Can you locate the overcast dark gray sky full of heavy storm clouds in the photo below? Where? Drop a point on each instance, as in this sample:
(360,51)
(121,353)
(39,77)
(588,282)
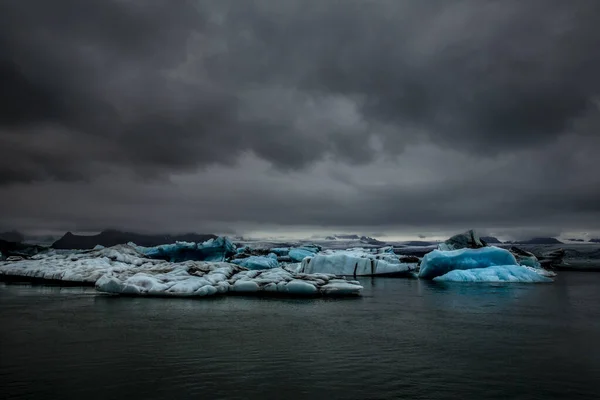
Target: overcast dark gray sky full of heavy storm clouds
(377,116)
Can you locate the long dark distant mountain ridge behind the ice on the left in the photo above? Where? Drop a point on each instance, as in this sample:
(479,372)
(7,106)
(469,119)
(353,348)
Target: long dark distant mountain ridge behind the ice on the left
(113,237)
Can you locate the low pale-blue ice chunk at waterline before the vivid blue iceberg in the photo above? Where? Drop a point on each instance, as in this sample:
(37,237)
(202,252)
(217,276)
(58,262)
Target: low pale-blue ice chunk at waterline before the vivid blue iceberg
(498,273)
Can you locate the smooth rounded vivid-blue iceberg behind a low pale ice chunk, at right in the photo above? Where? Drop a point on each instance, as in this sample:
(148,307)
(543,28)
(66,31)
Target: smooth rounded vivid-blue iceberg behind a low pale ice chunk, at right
(437,262)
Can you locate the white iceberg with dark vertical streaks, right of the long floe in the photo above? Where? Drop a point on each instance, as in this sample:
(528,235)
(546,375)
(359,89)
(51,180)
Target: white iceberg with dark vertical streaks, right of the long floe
(356,262)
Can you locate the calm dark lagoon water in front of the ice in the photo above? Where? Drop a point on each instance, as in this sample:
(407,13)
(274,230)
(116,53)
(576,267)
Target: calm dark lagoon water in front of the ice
(403,339)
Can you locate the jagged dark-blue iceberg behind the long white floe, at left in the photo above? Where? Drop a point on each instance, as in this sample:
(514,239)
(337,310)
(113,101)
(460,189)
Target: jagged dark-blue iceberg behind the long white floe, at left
(212,250)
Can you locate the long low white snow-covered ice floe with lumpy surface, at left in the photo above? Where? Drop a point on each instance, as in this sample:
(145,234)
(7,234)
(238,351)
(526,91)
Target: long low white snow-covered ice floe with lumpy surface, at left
(123,270)
